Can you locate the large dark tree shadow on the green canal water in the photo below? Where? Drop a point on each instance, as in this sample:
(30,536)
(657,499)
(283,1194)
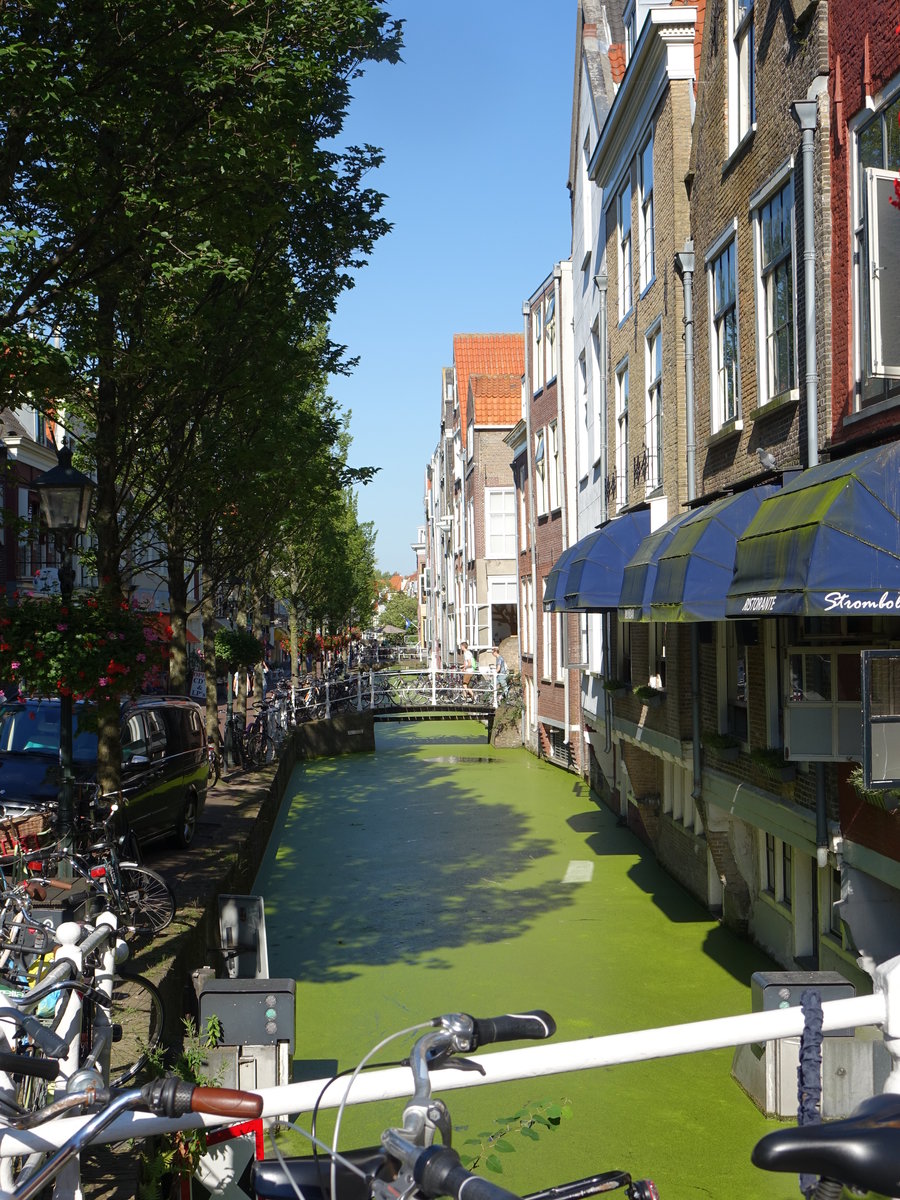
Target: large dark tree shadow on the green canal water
(383,860)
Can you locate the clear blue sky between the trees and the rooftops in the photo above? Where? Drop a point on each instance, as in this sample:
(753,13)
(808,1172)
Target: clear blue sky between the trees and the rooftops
(475,124)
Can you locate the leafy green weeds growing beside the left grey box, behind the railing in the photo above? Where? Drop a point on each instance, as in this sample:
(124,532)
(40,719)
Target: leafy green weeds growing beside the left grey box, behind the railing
(181,1153)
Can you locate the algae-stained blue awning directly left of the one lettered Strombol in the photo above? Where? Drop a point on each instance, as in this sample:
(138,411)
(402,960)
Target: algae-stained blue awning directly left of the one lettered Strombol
(695,571)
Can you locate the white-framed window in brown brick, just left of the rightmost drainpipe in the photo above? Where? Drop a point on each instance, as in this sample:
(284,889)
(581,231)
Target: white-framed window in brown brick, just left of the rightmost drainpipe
(769,268)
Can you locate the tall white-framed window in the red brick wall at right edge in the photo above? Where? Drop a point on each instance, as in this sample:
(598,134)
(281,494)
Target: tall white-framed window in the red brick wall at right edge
(877,284)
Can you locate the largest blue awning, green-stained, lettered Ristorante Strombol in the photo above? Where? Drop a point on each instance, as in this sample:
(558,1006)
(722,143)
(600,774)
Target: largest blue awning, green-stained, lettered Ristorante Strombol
(829,544)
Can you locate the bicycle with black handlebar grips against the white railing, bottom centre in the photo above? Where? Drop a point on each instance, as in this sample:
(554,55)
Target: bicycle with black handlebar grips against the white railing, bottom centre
(410,1163)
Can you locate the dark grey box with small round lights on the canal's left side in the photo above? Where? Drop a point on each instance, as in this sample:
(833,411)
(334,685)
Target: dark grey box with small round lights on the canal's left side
(253,1012)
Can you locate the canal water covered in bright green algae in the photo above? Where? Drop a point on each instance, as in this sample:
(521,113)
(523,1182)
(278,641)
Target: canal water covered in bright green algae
(441,875)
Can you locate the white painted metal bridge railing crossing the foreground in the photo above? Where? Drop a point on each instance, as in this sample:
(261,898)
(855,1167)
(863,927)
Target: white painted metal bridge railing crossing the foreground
(883,1009)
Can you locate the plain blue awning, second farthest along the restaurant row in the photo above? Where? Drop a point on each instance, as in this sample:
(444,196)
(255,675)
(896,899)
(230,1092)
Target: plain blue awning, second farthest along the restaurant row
(598,563)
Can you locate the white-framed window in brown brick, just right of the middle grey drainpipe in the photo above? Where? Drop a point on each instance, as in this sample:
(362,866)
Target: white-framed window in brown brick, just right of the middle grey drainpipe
(723,309)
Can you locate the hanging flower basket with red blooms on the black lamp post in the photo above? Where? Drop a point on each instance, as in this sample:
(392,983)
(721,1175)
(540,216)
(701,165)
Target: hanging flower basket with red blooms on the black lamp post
(89,647)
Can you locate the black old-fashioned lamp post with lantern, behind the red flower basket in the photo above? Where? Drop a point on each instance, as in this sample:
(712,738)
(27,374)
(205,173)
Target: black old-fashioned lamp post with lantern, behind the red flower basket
(65,503)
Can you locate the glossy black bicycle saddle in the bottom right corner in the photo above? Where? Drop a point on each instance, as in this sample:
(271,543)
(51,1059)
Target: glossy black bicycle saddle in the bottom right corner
(862,1150)
